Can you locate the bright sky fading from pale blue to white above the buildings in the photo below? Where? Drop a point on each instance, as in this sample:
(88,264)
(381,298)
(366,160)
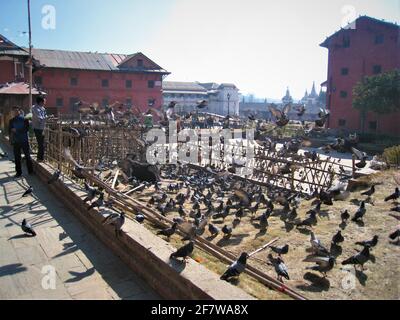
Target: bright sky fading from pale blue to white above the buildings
(262,46)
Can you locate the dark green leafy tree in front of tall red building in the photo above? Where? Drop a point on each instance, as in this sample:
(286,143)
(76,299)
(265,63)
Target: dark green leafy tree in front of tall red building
(379,94)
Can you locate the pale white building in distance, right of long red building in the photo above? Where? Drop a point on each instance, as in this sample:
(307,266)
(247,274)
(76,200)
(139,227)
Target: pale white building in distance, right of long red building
(221,98)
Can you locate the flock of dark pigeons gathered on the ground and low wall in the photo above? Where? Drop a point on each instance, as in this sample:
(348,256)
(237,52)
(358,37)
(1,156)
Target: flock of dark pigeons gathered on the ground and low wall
(213,196)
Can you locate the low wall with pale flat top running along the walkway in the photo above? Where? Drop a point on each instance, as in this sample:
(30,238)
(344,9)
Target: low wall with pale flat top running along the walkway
(145,253)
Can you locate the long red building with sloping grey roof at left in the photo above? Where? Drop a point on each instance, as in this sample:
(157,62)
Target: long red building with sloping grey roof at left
(69,76)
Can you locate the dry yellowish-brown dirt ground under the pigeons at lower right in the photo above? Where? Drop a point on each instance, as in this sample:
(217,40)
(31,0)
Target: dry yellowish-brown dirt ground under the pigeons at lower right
(379,280)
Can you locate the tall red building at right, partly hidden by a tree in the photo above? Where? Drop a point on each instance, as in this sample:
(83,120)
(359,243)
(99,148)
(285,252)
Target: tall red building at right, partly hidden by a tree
(365,47)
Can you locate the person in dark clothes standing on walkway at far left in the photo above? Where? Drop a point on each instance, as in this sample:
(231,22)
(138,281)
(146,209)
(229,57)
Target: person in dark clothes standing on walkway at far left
(18,132)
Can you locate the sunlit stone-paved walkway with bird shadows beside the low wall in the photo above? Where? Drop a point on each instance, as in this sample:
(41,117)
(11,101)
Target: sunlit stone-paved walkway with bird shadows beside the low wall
(84,267)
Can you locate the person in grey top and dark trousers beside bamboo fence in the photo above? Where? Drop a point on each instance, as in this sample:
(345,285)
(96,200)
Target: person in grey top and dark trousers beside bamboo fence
(39,117)
